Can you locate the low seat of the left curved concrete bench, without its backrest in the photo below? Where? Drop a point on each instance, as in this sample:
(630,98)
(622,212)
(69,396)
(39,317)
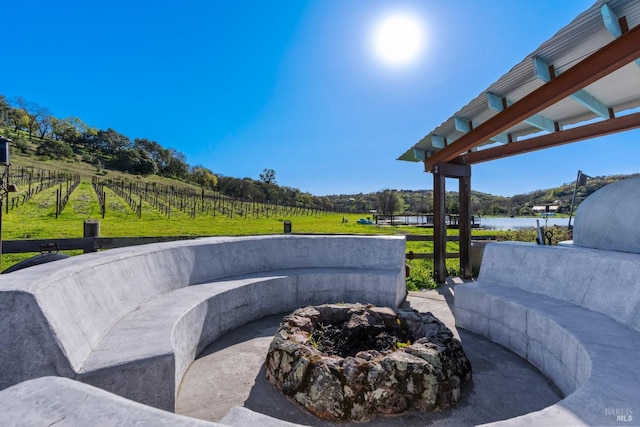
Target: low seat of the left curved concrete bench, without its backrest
(163,336)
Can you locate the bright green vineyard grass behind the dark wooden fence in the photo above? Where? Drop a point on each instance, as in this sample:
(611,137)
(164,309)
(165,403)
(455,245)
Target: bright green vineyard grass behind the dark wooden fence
(36,220)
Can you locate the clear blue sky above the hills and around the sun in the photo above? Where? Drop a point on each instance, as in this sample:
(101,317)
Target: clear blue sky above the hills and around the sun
(294,86)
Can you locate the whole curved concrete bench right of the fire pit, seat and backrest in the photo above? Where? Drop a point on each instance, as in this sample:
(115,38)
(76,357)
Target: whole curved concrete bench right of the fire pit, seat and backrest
(574,313)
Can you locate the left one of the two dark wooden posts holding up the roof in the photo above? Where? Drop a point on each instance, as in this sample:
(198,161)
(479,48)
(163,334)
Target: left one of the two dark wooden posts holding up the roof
(439,227)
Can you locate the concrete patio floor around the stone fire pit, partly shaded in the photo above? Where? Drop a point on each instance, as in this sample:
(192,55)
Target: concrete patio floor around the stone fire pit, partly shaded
(231,373)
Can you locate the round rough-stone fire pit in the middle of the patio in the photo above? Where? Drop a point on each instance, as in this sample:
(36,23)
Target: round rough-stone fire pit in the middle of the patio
(352,362)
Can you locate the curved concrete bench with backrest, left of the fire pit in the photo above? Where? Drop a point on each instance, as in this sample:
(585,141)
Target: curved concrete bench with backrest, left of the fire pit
(132,320)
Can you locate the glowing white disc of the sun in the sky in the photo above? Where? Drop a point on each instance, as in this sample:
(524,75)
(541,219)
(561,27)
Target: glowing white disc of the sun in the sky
(398,39)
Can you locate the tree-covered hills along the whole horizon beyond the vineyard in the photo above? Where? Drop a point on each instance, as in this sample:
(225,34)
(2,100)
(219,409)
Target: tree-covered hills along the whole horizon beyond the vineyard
(69,144)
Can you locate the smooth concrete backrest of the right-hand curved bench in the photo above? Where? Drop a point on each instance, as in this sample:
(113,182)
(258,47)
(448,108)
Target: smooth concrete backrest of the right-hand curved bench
(604,281)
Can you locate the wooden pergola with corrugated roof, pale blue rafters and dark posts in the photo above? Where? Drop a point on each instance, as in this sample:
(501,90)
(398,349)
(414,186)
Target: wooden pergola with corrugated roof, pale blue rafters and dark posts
(582,83)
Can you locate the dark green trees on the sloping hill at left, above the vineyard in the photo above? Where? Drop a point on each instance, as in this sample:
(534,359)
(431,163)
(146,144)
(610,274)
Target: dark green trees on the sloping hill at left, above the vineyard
(70,137)
